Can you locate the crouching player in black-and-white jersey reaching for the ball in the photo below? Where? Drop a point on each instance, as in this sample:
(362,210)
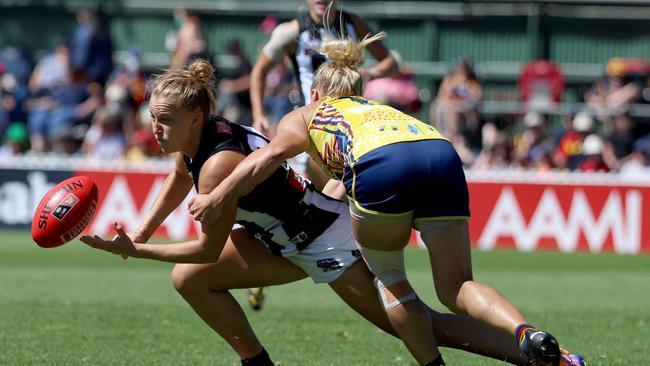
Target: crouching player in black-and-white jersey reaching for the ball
(305,232)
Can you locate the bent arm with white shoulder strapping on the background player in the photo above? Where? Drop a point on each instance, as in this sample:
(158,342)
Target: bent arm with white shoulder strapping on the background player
(280,44)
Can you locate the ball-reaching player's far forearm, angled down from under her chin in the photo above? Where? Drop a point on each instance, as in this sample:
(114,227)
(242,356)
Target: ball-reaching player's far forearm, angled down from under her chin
(176,187)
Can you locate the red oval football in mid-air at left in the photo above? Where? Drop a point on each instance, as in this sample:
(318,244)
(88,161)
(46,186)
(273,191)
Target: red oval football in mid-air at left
(64,212)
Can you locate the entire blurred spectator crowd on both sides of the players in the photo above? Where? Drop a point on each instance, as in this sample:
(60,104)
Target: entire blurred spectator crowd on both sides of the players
(76,101)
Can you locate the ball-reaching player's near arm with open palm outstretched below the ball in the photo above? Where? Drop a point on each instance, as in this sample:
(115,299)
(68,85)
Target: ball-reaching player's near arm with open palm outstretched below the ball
(208,246)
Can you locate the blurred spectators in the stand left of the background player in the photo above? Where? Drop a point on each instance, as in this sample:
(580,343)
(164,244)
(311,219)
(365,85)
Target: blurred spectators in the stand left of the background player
(74,101)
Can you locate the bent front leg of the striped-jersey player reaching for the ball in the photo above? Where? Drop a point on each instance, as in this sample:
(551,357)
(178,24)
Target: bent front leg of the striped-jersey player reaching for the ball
(244,262)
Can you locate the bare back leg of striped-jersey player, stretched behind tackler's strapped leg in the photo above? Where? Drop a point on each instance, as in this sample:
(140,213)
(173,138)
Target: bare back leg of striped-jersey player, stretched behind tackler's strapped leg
(356,288)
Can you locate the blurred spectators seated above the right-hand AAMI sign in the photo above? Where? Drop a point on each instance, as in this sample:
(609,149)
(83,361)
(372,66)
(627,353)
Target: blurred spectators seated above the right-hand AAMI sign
(598,134)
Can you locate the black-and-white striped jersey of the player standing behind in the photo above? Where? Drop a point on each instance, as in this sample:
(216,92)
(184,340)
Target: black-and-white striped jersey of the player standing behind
(306,60)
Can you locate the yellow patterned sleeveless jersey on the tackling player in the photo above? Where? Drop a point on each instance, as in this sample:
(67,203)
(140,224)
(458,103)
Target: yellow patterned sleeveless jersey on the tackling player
(344,129)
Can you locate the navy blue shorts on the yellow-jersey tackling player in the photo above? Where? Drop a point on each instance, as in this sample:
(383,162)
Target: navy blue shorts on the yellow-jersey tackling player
(424,177)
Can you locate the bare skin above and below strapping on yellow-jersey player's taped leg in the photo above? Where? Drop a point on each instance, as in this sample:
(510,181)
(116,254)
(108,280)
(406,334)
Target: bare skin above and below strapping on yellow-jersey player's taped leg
(410,319)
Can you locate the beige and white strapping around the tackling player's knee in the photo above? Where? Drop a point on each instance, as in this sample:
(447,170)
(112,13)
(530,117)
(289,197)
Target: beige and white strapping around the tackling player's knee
(390,276)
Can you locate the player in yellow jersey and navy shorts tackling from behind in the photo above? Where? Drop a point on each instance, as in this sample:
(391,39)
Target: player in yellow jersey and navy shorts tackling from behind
(398,174)
